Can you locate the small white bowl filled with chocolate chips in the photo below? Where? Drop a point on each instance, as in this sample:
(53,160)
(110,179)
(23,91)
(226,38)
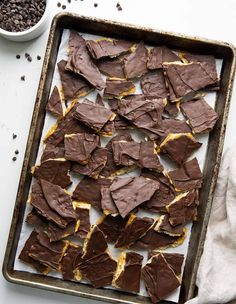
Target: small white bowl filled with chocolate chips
(23,20)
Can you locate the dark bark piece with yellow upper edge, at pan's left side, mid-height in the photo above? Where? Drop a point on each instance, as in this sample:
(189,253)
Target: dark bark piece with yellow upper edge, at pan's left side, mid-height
(55,171)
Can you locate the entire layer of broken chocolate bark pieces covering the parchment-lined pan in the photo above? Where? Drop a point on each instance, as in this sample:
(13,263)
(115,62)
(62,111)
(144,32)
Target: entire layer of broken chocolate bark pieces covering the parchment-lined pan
(171,83)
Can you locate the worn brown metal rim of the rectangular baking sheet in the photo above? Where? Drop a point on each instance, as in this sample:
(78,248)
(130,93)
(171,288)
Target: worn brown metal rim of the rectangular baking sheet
(213,154)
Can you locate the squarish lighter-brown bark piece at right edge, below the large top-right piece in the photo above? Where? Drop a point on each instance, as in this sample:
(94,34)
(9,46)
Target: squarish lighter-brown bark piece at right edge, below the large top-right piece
(201,116)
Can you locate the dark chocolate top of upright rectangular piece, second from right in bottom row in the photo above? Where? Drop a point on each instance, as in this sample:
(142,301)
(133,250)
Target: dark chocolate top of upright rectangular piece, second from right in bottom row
(129,279)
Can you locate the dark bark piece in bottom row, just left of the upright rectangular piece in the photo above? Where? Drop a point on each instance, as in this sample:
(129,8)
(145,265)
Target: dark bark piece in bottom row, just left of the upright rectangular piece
(98,270)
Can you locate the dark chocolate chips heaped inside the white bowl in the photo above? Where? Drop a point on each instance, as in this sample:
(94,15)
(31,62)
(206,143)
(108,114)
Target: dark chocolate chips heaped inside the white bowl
(20,15)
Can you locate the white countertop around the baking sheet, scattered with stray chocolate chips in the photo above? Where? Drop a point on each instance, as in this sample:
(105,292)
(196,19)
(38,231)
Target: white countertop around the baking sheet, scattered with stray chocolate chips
(215,19)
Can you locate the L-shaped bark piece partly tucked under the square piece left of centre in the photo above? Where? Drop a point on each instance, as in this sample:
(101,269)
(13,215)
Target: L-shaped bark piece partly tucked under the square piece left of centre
(95,164)
